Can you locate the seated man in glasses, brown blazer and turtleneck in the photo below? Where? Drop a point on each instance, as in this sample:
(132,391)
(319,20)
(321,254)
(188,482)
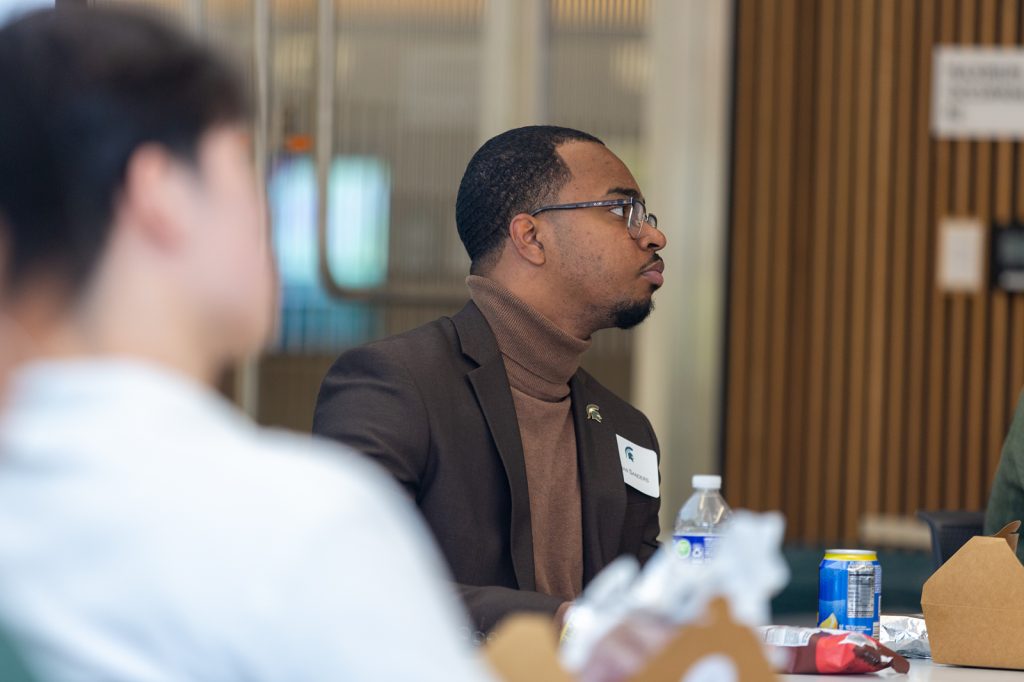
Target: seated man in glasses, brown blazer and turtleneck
(532,476)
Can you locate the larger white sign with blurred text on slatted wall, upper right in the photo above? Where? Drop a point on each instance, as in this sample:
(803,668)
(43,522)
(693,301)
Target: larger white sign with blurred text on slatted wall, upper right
(978,93)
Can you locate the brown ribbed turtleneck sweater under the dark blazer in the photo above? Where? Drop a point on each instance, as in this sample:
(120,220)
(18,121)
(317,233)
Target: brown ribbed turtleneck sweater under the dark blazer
(540,360)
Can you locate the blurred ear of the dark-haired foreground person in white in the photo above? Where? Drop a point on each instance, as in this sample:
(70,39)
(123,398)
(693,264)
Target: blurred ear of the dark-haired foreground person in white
(154,196)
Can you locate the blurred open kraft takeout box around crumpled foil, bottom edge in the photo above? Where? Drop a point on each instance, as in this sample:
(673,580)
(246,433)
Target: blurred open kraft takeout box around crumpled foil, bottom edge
(524,650)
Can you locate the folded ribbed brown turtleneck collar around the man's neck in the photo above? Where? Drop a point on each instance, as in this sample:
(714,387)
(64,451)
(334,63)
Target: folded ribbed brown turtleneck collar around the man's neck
(540,358)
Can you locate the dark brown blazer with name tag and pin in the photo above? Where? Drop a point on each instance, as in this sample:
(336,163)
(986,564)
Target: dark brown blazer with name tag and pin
(435,407)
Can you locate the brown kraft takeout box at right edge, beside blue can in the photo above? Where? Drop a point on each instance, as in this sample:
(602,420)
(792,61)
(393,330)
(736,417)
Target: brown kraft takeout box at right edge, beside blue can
(974,605)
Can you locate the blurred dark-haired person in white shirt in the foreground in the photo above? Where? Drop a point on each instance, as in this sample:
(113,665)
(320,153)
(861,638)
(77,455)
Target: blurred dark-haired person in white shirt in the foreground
(148,530)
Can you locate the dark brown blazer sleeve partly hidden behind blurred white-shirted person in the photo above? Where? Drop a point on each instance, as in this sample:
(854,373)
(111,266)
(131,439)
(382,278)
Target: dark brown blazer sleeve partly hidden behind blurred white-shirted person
(370,403)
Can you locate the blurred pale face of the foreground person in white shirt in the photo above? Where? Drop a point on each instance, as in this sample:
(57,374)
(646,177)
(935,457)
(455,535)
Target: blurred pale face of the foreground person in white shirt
(232,278)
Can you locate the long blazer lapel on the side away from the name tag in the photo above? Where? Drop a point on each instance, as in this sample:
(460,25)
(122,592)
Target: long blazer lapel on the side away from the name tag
(490,382)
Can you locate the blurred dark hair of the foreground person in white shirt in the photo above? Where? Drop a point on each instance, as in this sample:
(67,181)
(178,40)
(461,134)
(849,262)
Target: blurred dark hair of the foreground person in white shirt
(81,90)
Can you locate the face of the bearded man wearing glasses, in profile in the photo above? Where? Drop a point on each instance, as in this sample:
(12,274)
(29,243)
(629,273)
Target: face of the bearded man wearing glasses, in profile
(598,263)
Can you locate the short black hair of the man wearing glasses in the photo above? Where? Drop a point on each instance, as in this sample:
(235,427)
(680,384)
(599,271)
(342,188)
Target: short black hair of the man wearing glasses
(515,173)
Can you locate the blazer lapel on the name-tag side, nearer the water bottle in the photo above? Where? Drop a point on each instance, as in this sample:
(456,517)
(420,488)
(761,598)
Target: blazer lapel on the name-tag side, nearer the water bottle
(601,484)
